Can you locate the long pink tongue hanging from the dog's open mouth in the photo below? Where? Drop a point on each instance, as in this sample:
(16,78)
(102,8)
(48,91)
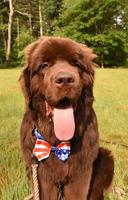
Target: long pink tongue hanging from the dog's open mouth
(64,125)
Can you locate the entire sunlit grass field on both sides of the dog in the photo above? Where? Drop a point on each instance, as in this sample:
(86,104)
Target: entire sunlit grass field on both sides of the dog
(111,106)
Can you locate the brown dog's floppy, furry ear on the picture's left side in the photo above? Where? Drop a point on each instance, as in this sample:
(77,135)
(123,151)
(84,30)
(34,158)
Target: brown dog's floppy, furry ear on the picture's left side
(25,77)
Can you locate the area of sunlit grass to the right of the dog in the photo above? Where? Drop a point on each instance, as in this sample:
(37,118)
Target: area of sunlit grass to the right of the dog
(111,106)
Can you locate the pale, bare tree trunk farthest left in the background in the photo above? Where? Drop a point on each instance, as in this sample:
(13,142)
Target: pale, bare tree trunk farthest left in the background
(9,30)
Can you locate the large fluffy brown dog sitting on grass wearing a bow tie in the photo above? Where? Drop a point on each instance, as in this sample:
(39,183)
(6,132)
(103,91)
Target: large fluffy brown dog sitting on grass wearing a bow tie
(58,88)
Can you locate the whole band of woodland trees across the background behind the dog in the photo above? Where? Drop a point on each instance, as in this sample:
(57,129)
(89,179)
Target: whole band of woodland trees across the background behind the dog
(103,25)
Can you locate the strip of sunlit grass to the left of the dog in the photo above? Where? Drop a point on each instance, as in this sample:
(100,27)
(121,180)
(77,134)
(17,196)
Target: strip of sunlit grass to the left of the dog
(12,174)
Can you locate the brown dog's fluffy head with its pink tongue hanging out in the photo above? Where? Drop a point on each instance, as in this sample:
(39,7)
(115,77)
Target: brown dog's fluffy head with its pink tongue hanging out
(58,75)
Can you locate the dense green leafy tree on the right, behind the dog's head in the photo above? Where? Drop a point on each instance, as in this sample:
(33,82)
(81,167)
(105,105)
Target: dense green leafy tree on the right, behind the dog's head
(98,24)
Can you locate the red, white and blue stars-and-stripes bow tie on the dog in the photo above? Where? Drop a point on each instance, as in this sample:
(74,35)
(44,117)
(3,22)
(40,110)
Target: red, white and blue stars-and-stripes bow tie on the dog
(43,149)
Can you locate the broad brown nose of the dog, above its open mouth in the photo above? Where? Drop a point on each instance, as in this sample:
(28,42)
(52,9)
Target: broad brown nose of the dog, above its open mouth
(63,79)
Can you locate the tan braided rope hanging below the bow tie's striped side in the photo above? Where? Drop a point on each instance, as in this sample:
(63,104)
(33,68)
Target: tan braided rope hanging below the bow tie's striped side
(35,182)
